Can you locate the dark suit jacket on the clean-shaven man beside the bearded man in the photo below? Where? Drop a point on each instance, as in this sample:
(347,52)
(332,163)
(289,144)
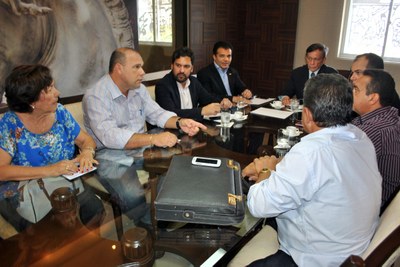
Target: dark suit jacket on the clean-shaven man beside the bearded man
(211,80)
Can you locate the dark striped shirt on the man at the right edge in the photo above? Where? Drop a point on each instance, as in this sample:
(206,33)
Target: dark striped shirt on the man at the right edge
(382,126)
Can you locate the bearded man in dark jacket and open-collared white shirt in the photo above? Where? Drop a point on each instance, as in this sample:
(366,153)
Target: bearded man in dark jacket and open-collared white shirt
(182,93)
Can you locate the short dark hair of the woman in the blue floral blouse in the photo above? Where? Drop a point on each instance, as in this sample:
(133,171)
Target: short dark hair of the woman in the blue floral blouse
(24,85)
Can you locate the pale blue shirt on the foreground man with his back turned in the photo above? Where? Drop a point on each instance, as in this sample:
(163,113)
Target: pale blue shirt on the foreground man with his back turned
(326,194)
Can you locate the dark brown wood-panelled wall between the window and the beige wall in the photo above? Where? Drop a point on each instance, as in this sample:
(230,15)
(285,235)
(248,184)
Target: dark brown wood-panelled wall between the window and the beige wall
(262,32)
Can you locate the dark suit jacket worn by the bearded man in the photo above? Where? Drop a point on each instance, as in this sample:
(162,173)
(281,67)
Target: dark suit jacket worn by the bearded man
(167,96)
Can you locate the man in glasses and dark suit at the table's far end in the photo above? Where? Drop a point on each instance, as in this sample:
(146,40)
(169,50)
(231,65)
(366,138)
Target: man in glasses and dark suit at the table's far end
(315,64)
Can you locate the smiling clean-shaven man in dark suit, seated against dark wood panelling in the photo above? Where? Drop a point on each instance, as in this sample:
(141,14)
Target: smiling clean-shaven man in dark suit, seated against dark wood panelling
(220,79)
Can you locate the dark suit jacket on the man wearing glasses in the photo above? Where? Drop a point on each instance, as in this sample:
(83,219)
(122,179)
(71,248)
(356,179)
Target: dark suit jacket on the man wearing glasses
(298,79)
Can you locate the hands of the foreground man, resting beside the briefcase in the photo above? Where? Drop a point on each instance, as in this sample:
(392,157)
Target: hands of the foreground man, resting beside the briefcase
(253,170)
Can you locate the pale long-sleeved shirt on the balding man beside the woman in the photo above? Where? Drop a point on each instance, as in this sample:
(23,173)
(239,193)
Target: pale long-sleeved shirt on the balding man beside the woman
(111,118)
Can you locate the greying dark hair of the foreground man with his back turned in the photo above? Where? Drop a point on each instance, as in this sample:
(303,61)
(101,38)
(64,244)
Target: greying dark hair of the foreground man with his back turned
(329,97)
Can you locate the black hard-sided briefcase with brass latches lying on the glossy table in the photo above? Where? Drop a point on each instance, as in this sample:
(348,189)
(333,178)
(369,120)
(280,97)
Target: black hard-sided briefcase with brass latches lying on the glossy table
(201,194)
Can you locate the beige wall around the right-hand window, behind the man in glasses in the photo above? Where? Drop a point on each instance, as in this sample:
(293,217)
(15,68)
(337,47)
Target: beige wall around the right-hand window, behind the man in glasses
(320,21)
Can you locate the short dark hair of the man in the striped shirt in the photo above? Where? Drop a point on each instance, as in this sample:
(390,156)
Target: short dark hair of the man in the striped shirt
(383,84)
